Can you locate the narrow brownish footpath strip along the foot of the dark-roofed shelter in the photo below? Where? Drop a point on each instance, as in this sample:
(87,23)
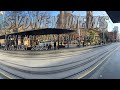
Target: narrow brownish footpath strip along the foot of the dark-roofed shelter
(73,49)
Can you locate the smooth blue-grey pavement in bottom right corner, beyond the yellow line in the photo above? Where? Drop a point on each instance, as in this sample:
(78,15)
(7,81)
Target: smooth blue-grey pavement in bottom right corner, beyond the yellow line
(111,68)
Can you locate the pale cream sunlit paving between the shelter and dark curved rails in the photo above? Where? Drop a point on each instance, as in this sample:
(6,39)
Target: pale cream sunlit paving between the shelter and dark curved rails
(46,59)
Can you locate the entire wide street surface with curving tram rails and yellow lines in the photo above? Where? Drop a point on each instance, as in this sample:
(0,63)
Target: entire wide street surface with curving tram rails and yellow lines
(95,63)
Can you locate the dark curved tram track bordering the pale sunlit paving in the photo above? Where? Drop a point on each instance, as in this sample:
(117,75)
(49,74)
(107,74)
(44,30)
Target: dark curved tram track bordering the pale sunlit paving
(55,71)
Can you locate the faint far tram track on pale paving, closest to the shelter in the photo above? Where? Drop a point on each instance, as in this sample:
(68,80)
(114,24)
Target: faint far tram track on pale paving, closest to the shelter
(51,56)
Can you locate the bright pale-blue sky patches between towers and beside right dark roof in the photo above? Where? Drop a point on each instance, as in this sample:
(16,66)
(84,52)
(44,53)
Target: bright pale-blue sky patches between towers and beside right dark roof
(95,13)
